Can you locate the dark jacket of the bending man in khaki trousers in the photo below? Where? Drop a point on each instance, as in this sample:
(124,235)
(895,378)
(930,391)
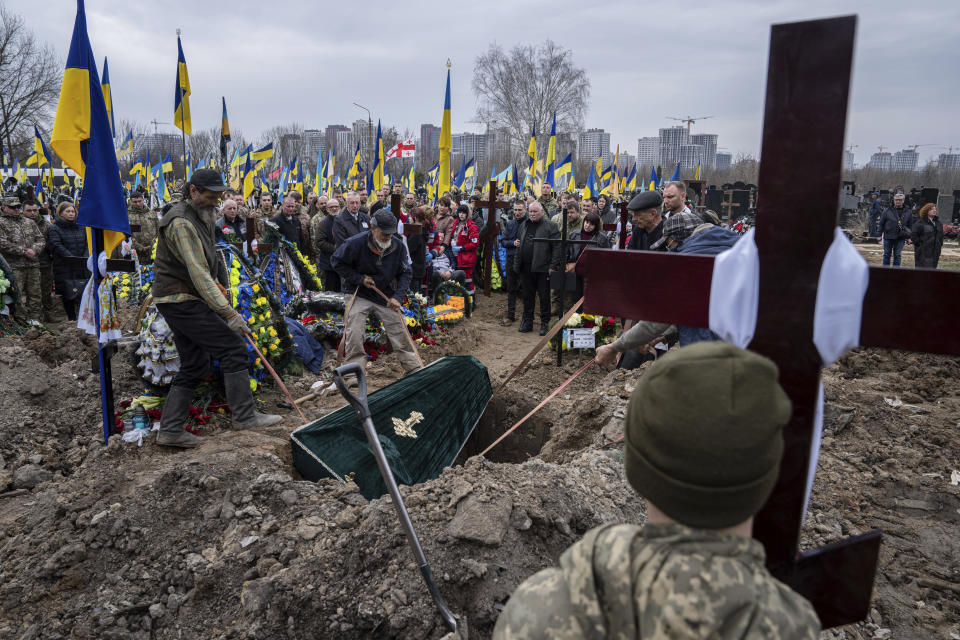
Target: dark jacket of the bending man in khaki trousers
(357,258)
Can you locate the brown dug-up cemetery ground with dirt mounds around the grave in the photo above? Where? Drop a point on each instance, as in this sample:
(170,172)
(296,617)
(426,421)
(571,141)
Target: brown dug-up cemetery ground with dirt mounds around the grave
(227,541)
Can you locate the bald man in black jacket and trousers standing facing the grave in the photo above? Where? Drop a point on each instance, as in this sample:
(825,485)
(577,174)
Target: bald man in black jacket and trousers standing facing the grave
(534,262)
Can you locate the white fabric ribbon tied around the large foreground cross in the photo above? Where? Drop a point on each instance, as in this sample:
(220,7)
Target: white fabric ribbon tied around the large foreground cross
(844,277)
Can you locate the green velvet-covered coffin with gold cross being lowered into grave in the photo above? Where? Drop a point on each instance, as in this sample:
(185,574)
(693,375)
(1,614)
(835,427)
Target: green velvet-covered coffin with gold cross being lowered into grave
(423,421)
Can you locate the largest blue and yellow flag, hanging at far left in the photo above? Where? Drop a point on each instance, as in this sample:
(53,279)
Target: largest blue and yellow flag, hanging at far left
(82,138)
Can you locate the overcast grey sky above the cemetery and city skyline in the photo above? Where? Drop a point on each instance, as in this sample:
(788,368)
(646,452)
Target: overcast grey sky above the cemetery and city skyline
(279,61)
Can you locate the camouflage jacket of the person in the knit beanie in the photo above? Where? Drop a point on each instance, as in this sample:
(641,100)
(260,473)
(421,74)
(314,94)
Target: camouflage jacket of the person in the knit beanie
(662,581)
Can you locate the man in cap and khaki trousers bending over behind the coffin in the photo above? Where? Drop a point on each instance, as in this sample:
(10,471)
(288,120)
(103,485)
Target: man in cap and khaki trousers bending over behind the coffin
(375,259)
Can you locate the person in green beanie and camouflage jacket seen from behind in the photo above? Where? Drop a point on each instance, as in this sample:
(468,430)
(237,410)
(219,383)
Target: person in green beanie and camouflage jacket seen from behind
(703,446)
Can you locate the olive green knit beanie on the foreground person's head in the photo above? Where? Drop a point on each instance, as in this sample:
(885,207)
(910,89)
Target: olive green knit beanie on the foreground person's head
(704,434)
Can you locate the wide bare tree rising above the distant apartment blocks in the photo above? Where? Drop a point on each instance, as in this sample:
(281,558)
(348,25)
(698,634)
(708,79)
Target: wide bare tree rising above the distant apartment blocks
(524,86)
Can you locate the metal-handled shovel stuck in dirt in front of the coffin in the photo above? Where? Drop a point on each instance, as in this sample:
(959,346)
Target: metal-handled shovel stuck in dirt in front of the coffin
(359,403)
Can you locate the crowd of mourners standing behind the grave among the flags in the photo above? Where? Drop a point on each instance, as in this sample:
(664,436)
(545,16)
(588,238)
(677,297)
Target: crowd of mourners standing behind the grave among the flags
(36,239)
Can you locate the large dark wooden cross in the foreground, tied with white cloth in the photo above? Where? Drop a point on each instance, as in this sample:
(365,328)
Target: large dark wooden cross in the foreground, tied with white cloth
(805,113)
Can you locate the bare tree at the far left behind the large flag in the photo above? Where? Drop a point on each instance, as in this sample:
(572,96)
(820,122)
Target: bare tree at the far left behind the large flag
(30,75)
